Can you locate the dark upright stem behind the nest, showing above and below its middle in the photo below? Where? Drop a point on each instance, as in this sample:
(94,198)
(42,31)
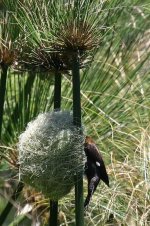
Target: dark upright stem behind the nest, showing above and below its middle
(57,105)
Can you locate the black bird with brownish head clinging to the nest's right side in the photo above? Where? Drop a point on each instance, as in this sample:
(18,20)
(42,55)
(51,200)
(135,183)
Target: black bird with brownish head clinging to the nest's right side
(94,168)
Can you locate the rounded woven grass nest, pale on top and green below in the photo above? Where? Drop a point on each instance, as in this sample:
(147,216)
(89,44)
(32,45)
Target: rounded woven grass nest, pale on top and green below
(51,153)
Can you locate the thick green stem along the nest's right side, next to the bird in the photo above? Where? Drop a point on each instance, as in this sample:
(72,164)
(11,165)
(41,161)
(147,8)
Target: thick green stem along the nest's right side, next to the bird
(79,208)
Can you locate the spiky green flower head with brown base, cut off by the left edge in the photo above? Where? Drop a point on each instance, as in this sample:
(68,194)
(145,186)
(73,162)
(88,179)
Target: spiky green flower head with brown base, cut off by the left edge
(9,33)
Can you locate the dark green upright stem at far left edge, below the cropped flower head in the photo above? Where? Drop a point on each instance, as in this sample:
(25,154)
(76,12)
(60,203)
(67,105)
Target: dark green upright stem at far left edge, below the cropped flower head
(2,93)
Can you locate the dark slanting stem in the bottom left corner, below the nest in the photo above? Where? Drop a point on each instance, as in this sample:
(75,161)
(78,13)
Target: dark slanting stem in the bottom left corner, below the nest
(9,205)
